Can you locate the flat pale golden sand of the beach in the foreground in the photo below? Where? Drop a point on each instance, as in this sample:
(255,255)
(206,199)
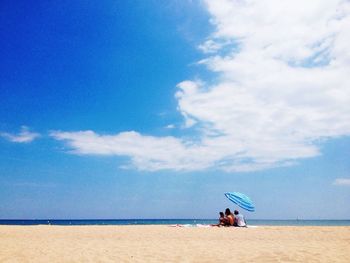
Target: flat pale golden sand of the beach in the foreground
(173,244)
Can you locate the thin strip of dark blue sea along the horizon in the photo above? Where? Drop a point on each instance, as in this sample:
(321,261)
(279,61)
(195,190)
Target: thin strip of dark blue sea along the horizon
(186,222)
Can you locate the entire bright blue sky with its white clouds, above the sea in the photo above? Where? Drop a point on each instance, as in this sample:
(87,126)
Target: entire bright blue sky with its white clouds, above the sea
(146,109)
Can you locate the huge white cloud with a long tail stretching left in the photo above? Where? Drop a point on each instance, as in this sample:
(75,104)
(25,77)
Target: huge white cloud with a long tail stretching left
(282,86)
